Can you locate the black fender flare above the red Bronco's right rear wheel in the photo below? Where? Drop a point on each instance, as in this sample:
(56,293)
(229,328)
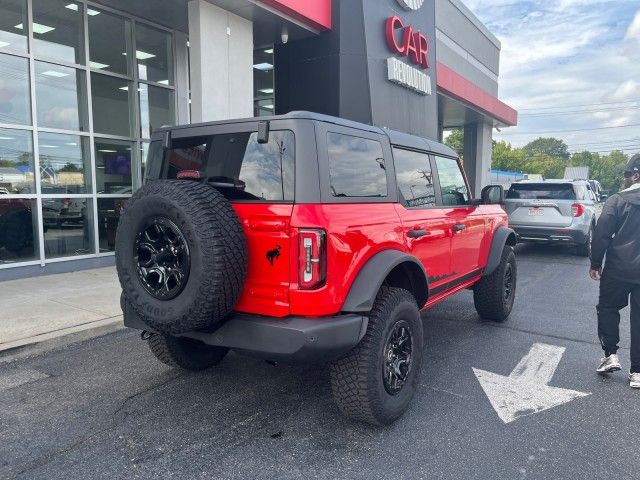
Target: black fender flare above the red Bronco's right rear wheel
(366,286)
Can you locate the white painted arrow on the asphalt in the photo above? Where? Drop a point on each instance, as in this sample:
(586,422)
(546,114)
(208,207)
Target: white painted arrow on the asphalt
(525,391)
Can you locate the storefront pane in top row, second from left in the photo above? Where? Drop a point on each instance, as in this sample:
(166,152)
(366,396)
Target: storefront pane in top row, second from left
(57,30)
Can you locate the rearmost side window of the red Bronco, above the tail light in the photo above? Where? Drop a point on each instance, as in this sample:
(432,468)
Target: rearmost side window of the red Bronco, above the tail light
(356,167)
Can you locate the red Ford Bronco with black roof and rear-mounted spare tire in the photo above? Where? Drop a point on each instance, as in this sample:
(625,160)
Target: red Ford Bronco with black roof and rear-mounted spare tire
(307,238)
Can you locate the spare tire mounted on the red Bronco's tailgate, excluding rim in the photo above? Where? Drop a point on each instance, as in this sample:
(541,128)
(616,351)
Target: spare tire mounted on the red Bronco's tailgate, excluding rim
(217,252)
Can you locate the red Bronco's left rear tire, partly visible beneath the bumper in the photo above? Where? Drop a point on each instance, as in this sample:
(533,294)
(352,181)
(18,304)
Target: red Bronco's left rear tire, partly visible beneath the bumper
(185,353)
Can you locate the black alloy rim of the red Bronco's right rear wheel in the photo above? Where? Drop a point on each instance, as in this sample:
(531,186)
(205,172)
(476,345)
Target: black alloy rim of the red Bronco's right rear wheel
(397,358)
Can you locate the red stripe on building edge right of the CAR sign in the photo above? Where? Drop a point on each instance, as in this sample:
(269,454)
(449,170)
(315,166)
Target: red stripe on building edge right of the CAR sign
(456,86)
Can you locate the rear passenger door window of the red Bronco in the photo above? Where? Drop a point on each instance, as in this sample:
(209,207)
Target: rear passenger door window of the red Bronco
(415,179)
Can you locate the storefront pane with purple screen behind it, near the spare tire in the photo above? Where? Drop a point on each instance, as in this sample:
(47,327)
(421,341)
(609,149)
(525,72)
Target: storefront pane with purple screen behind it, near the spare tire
(114,166)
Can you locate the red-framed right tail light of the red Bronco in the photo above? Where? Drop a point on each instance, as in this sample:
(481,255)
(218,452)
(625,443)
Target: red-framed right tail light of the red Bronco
(312,261)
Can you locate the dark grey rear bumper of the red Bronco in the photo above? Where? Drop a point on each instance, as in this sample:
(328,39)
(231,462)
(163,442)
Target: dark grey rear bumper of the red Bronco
(288,340)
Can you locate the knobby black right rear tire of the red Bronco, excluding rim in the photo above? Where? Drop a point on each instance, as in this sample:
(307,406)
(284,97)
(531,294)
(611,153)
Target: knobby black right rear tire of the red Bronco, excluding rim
(357,378)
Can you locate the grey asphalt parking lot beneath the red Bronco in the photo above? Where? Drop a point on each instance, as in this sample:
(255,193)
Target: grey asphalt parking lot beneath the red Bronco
(105,408)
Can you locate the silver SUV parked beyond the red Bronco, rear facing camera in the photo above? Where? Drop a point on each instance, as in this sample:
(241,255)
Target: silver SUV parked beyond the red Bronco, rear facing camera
(553,211)
